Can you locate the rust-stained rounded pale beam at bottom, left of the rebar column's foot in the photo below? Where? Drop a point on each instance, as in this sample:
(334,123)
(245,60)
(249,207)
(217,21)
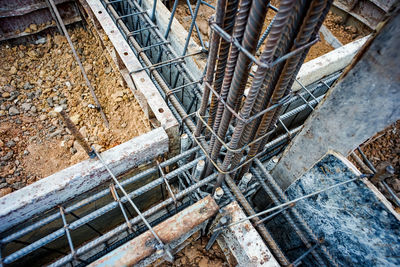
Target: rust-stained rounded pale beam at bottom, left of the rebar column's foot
(143,246)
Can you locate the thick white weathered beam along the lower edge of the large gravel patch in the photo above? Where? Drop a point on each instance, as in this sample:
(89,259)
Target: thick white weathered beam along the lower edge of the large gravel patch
(79,178)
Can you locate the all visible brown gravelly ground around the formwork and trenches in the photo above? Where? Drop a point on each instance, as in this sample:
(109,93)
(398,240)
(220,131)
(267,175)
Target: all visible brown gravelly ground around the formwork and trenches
(34,78)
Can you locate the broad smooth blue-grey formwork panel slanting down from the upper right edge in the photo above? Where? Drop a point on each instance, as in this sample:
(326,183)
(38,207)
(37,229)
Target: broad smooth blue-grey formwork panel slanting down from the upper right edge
(364,101)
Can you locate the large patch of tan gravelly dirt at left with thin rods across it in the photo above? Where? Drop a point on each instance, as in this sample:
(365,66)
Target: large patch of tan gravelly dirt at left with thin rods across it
(34,78)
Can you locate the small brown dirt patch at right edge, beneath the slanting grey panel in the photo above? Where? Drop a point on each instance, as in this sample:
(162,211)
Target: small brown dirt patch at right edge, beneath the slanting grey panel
(384,149)
